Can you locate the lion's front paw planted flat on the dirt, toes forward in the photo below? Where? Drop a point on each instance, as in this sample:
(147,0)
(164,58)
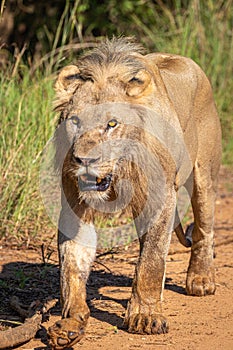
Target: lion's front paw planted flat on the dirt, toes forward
(146,324)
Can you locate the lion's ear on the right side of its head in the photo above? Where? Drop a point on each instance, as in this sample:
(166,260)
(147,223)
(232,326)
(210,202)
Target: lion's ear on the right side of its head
(138,83)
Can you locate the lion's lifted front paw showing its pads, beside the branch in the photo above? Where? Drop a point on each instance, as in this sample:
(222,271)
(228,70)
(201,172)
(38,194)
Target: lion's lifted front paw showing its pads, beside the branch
(65,333)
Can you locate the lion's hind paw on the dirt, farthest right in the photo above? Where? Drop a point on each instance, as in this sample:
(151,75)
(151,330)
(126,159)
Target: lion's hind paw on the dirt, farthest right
(200,285)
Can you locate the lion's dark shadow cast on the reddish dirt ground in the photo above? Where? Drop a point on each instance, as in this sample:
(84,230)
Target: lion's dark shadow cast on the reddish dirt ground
(31,282)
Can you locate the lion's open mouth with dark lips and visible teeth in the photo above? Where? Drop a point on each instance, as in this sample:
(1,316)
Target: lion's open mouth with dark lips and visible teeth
(88,182)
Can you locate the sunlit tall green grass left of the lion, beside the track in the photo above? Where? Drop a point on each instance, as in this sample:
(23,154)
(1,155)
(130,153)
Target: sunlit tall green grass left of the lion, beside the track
(26,124)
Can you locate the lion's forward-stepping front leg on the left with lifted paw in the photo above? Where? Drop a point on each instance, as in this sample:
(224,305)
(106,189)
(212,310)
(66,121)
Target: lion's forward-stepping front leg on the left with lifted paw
(76,256)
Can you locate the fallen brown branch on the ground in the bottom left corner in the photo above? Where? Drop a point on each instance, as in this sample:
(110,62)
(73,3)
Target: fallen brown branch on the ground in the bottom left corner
(21,334)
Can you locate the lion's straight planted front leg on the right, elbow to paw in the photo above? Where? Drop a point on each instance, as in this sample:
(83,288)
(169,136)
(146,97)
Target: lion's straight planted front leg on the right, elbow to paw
(144,311)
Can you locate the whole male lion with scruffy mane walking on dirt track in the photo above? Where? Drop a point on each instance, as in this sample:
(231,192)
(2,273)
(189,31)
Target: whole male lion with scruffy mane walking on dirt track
(133,129)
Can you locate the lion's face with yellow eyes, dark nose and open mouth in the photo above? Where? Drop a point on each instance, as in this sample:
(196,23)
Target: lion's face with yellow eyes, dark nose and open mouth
(103,142)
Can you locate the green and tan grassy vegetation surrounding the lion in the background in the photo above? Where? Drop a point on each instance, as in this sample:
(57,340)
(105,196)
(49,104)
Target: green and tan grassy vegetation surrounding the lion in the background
(202,30)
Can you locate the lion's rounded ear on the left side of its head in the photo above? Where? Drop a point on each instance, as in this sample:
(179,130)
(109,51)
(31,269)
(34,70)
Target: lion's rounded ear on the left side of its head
(66,77)
